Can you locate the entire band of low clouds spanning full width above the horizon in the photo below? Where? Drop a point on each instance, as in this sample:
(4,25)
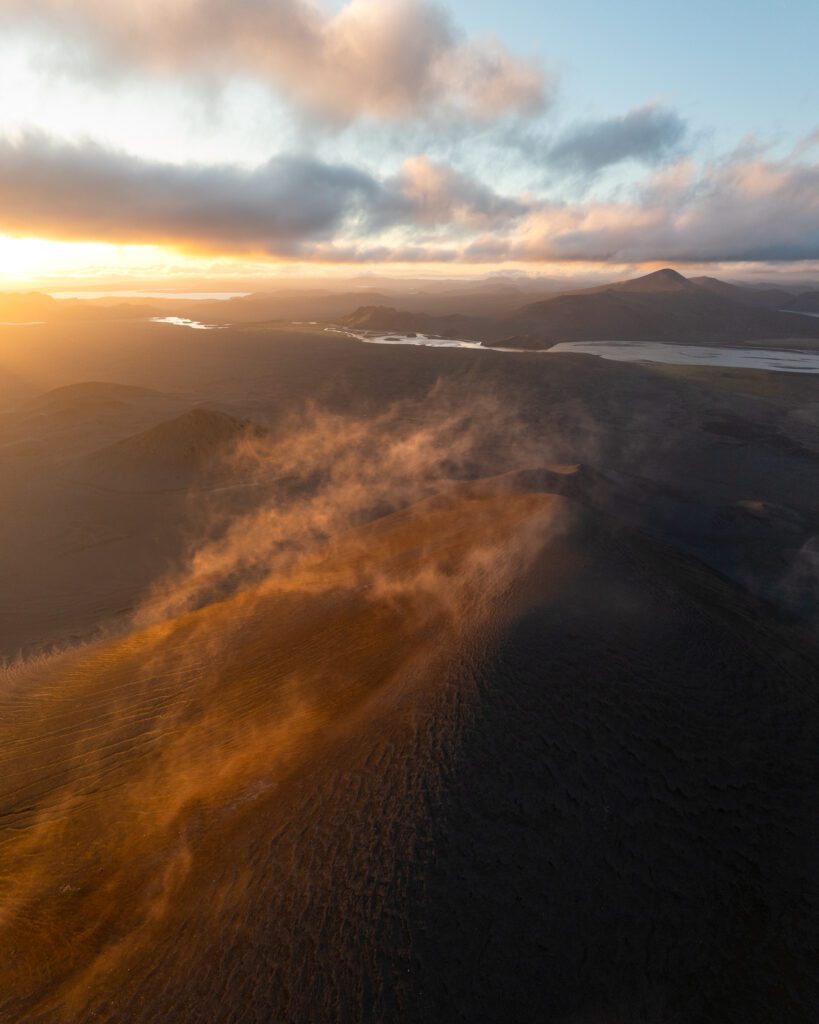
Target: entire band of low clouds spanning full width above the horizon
(746,207)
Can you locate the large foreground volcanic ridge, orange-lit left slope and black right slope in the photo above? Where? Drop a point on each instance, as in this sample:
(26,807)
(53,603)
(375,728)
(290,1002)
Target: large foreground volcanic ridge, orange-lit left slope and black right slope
(485,760)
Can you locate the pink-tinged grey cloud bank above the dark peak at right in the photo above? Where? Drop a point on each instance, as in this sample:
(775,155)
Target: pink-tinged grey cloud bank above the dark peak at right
(745,208)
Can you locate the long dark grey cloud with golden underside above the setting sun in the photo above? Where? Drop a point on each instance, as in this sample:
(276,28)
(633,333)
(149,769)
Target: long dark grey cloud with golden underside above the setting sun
(87,192)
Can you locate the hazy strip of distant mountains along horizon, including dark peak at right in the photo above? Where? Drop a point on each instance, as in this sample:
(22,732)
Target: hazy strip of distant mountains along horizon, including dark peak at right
(662,306)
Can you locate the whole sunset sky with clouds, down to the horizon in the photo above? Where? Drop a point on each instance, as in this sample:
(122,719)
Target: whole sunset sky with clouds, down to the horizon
(245,140)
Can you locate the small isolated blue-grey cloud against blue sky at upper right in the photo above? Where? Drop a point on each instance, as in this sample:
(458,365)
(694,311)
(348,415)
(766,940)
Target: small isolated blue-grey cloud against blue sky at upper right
(646,135)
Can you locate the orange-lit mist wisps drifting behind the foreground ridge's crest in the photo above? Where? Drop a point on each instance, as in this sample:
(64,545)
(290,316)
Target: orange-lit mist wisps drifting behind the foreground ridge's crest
(336,473)
